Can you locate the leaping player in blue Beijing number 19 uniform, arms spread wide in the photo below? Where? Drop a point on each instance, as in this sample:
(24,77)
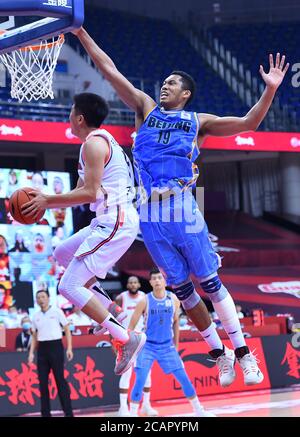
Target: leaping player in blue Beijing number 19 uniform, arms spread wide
(174,231)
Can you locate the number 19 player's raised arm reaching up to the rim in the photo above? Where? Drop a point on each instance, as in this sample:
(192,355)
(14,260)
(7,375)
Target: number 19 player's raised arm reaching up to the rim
(135,99)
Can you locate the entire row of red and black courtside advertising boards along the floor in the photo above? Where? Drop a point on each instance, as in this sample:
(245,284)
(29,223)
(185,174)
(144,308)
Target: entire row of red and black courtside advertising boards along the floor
(92,381)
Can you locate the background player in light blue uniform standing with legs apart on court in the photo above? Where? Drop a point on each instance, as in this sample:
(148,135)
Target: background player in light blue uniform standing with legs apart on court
(160,310)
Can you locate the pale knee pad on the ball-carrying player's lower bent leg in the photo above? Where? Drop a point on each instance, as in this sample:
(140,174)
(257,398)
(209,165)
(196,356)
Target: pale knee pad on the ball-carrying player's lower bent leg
(71,287)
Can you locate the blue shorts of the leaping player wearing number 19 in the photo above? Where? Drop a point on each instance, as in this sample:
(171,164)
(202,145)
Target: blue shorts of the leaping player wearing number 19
(176,237)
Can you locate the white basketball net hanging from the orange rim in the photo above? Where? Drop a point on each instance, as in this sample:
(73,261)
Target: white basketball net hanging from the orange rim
(32,68)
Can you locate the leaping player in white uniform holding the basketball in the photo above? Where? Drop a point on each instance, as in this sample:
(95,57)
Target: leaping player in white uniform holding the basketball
(106,182)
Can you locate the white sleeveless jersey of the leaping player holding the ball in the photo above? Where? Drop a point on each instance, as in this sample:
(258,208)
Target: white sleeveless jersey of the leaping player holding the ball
(117,185)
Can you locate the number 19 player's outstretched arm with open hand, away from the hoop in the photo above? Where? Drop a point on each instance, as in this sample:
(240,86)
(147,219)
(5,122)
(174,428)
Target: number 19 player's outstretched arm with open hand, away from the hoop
(223,126)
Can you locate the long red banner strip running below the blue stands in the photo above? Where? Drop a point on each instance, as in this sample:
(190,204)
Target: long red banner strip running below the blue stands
(60,133)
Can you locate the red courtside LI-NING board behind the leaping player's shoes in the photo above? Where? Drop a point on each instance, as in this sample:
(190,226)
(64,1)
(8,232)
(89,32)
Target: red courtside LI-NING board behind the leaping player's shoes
(203,373)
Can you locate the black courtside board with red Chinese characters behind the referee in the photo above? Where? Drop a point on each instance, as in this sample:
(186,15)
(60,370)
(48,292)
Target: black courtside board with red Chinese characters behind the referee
(91,381)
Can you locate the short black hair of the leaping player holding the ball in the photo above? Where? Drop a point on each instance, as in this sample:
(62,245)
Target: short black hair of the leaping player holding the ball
(93,108)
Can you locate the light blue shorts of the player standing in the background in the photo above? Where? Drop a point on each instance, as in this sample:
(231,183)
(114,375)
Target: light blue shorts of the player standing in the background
(165,354)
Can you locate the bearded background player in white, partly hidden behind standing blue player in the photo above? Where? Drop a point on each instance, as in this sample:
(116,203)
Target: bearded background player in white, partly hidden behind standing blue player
(128,301)
